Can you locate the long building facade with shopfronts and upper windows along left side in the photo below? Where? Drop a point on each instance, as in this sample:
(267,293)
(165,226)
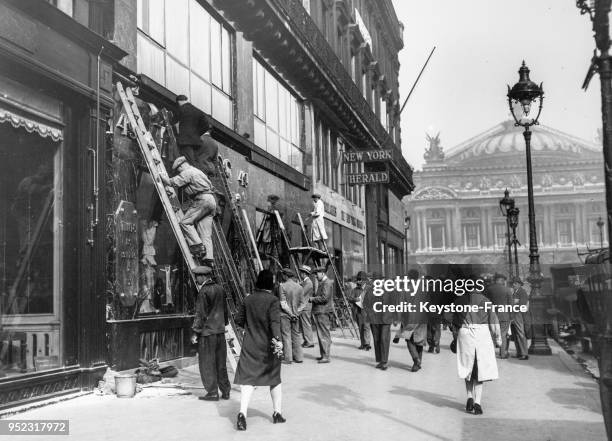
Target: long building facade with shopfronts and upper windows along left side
(91,277)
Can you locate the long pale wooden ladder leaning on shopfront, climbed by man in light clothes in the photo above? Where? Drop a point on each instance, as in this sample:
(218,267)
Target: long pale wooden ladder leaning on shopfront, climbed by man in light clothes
(168,197)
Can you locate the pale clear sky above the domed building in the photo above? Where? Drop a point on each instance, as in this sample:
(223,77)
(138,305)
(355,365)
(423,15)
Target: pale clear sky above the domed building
(480,45)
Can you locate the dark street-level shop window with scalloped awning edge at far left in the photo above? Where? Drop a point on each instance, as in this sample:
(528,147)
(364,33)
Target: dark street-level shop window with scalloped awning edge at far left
(30,249)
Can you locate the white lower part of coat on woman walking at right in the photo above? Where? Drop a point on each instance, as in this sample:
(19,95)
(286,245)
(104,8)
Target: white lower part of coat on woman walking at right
(474,342)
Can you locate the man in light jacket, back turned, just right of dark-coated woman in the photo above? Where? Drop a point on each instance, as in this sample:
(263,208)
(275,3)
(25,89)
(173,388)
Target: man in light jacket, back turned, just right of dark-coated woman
(291,302)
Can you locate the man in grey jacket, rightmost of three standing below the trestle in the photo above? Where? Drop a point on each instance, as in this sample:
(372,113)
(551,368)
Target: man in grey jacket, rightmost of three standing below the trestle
(323,306)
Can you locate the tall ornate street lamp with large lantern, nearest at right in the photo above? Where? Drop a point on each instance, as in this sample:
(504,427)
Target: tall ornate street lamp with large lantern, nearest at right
(521,97)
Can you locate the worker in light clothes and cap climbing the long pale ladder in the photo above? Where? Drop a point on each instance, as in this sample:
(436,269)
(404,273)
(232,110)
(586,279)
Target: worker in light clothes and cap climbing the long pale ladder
(202,207)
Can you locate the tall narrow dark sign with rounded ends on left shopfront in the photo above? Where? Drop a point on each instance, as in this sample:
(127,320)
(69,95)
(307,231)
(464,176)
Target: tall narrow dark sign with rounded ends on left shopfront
(126,253)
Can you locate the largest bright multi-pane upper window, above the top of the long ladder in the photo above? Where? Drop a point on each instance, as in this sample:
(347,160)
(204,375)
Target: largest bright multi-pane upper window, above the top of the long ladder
(186,49)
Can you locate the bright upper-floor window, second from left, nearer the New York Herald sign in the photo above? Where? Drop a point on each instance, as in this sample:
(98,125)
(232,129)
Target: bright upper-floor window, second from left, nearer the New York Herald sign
(278,118)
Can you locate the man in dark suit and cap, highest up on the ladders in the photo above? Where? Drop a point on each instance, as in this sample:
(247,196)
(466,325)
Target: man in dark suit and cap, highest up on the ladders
(192,123)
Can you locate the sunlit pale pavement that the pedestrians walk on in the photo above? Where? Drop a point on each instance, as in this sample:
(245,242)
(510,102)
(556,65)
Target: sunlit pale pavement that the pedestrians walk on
(546,398)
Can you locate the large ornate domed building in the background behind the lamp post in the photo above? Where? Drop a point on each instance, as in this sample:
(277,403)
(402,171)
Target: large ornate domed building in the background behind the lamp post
(455,214)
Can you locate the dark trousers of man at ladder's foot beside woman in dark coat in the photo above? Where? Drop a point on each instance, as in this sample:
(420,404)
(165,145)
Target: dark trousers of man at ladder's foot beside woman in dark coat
(212,355)
